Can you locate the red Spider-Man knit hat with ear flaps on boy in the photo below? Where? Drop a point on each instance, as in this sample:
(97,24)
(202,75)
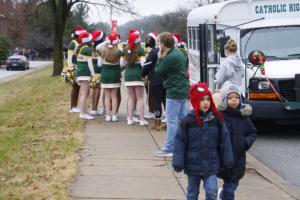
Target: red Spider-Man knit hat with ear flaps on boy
(197,92)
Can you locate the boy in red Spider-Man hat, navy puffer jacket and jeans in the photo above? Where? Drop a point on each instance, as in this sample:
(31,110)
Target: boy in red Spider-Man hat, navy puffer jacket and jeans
(201,143)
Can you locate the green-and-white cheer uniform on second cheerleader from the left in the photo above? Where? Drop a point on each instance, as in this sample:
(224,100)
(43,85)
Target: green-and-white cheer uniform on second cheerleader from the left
(83,71)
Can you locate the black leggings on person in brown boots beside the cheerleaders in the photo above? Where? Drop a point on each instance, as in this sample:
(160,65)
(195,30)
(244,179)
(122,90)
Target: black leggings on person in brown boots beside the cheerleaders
(159,94)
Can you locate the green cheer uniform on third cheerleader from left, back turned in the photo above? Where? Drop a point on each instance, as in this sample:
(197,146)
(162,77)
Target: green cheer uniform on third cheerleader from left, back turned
(111,74)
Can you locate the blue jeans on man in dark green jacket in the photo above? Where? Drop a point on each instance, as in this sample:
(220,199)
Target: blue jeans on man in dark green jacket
(175,110)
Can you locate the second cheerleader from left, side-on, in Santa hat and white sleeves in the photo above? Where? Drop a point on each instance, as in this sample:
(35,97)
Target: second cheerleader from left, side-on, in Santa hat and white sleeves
(85,70)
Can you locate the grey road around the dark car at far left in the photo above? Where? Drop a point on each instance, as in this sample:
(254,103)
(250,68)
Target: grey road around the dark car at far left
(32,65)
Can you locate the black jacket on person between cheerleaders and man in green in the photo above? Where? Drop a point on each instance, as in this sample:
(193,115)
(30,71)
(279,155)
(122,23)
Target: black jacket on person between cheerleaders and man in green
(149,66)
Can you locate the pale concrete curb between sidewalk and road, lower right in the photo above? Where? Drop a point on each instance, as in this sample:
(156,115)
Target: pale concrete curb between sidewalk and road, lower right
(272,177)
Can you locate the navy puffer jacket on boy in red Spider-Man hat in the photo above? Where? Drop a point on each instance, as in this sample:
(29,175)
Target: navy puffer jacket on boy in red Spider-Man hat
(200,150)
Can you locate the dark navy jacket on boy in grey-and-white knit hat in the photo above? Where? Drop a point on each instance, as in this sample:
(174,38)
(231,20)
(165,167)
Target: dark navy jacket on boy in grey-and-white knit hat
(242,135)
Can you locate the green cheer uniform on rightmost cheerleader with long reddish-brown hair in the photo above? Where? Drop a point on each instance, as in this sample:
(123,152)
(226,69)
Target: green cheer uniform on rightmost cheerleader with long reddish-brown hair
(133,74)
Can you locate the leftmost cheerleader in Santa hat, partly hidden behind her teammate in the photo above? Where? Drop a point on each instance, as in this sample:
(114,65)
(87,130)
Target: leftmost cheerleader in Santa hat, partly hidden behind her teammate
(72,62)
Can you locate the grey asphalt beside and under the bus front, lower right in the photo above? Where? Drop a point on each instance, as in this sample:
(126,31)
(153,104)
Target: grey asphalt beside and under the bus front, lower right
(278,147)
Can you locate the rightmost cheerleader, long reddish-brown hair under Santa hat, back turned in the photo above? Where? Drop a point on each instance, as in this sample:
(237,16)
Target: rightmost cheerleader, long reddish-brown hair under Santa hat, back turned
(134,58)
